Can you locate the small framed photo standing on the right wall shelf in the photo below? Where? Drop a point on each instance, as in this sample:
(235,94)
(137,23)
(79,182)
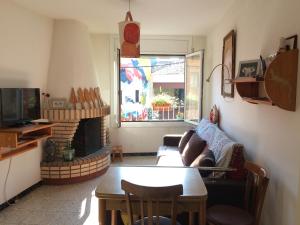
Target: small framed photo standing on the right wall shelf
(250,68)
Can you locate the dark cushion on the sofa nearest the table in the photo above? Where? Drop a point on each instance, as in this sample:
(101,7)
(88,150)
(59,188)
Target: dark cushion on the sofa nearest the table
(205,159)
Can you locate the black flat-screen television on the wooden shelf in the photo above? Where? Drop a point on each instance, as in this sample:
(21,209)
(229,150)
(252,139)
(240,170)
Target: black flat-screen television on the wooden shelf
(19,106)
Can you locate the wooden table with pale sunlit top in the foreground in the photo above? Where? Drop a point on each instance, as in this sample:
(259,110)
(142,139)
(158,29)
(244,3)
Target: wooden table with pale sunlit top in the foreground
(111,196)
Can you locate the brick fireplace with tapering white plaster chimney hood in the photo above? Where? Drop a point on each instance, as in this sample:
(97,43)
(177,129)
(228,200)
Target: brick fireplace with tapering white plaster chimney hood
(71,45)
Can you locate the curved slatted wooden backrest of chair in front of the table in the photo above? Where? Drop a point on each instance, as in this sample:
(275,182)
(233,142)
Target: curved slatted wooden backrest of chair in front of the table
(151,196)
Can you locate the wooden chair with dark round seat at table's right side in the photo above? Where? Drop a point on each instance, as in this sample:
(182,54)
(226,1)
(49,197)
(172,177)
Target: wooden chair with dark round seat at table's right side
(256,186)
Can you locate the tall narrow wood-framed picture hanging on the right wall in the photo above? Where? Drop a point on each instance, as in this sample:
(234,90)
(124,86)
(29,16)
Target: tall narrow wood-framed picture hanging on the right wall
(228,61)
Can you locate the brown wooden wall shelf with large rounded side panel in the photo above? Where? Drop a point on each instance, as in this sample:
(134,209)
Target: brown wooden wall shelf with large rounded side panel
(279,85)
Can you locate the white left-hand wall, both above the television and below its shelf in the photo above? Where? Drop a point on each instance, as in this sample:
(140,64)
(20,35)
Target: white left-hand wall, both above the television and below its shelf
(25,40)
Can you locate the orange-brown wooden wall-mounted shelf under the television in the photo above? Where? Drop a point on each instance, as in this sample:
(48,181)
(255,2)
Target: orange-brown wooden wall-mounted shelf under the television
(14,141)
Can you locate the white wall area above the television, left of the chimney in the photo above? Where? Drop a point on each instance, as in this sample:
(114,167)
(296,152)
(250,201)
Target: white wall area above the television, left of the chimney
(24,47)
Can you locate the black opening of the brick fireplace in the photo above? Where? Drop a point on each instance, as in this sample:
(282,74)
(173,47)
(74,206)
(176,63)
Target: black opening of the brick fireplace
(87,137)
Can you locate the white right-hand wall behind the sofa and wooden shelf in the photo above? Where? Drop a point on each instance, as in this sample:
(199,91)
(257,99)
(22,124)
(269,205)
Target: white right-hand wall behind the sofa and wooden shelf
(270,134)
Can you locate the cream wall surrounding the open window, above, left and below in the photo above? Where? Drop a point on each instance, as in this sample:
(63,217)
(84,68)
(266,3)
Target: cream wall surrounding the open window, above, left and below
(138,137)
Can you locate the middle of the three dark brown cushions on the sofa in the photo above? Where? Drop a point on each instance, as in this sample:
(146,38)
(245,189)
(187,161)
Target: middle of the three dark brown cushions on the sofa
(193,149)
